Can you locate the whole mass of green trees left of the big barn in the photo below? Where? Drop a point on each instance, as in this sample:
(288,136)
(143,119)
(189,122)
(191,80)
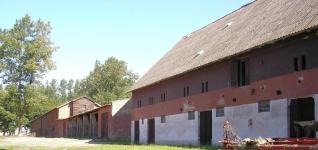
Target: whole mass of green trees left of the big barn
(26,55)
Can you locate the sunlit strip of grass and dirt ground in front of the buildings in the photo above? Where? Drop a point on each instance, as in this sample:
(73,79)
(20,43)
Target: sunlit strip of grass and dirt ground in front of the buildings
(92,144)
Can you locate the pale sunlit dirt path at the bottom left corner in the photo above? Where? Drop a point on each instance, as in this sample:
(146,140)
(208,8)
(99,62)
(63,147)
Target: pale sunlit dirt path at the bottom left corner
(46,142)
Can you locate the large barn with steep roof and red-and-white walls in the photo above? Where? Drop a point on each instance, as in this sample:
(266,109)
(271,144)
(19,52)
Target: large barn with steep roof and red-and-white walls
(256,67)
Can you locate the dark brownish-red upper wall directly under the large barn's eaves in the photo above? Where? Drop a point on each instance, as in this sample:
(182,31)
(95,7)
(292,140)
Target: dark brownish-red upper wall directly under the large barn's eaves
(264,63)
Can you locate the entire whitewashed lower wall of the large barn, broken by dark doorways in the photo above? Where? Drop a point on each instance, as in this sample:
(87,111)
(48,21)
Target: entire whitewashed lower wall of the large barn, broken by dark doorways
(179,130)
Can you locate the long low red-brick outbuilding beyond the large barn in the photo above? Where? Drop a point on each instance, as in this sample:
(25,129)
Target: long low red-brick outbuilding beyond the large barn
(82,117)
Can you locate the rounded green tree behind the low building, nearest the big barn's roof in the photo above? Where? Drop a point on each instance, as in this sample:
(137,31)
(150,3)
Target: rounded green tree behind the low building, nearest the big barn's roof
(109,81)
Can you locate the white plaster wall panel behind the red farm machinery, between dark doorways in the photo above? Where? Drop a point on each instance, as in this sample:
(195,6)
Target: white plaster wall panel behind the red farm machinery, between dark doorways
(264,124)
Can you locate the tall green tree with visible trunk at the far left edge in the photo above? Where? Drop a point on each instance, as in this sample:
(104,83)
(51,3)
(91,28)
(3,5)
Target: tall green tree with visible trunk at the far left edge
(25,53)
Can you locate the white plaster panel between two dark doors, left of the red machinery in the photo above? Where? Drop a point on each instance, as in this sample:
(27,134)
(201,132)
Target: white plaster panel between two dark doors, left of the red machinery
(177,130)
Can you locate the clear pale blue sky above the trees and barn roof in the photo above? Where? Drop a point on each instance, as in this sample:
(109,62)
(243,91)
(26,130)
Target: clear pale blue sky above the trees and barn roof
(139,32)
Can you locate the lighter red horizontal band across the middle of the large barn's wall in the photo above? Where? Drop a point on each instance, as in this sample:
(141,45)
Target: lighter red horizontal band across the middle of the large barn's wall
(289,86)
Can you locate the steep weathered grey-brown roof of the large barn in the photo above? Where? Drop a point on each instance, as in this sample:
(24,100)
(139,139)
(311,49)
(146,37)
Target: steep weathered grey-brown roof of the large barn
(253,25)
